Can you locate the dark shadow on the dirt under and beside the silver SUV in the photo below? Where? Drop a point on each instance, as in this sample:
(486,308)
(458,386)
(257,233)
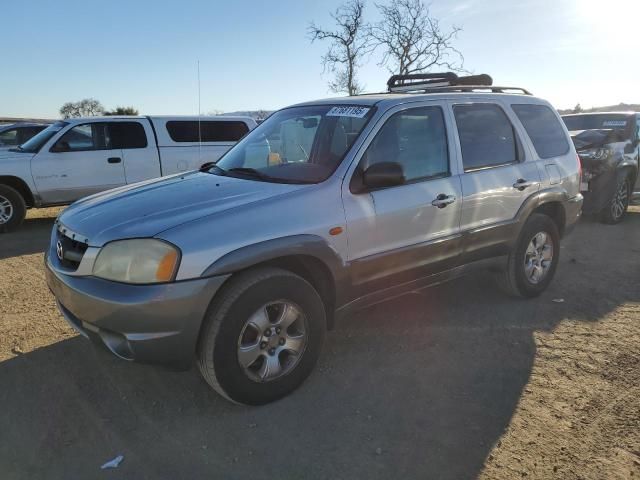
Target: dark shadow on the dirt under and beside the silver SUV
(419,387)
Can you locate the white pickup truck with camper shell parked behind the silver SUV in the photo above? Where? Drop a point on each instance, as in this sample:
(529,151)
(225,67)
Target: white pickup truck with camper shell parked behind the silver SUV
(77,157)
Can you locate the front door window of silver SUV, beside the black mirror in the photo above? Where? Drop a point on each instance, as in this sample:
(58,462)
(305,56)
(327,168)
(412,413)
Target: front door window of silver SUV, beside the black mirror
(416,139)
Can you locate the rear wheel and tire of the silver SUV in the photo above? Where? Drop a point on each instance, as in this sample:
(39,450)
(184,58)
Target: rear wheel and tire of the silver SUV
(517,280)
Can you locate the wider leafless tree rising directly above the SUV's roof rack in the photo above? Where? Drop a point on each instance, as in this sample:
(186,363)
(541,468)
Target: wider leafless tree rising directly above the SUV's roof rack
(413,41)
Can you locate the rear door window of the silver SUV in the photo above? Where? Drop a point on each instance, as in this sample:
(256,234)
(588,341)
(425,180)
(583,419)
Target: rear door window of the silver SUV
(487,137)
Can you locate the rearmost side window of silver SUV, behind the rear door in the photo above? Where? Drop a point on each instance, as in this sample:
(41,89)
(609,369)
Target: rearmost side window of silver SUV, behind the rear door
(544,130)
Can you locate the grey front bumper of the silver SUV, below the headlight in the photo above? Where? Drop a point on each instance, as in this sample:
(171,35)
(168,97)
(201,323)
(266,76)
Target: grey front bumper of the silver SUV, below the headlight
(145,323)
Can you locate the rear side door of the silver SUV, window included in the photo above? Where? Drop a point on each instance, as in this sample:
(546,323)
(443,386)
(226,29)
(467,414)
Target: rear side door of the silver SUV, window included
(499,174)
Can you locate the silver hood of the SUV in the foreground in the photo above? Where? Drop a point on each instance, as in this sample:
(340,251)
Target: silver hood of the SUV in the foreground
(149,208)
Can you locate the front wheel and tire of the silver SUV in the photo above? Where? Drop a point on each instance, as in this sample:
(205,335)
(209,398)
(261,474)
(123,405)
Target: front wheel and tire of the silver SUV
(227,332)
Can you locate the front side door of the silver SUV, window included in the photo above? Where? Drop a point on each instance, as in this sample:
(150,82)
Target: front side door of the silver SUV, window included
(405,232)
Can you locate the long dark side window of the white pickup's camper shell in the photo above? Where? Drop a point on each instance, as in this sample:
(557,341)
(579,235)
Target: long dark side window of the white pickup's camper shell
(207,131)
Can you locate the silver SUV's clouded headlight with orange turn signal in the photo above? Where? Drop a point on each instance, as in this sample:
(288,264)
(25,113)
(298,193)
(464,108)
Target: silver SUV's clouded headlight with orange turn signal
(143,260)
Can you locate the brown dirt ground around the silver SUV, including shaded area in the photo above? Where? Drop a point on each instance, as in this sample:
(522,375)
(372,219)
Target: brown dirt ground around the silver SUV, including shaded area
(454,382)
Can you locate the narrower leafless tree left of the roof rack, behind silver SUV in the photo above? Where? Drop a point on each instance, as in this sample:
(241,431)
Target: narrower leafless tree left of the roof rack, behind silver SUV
(349,43)
